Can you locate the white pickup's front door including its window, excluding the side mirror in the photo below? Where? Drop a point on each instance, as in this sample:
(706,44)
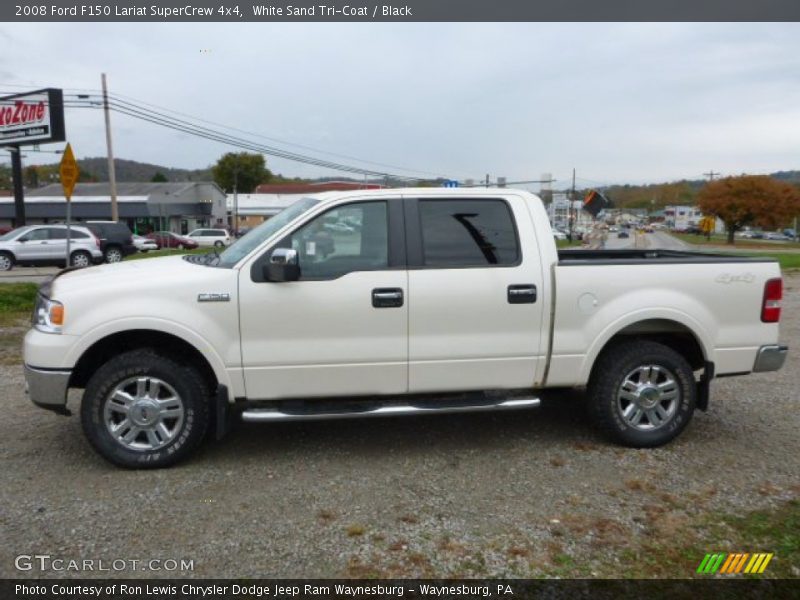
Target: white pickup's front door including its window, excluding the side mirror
(342,328)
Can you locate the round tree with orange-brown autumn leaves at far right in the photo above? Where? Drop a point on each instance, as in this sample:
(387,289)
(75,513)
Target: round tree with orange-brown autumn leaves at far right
(749,200)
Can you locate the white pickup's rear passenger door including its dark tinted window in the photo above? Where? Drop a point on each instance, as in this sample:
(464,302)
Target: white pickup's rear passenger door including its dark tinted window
(474,310)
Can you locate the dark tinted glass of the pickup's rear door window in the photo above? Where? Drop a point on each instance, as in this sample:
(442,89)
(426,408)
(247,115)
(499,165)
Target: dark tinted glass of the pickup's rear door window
(467,233)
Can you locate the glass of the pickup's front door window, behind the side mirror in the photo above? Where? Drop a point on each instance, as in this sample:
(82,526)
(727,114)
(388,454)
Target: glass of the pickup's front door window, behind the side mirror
(354,237)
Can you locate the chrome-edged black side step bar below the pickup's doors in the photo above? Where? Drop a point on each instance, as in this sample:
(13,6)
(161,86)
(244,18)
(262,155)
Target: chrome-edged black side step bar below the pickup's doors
(261,415)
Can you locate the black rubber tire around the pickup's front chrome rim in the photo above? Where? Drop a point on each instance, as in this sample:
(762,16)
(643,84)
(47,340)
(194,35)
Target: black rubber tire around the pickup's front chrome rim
(186,383)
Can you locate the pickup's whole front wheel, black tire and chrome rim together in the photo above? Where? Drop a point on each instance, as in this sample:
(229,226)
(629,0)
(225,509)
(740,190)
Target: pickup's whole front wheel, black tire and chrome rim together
(143,410)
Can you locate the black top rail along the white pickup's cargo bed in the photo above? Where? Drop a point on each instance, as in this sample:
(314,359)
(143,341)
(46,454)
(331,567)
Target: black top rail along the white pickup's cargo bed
(646,256)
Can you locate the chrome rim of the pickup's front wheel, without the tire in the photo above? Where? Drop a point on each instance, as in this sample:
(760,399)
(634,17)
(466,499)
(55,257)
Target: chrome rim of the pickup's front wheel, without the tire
(143,413)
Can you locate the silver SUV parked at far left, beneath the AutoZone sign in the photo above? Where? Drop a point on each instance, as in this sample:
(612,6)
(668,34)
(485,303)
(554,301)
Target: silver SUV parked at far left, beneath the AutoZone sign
(47,245)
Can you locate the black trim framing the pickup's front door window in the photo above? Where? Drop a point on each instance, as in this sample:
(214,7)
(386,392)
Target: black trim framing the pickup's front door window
(397,258)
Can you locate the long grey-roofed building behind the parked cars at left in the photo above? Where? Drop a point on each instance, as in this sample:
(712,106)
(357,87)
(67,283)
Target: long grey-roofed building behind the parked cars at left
(145,207)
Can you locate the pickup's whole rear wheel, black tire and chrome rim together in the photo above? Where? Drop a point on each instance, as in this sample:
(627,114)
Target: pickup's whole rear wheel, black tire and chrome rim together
(623,368)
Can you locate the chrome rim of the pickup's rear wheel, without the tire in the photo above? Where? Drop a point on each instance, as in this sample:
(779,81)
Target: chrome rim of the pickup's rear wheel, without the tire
(648,397)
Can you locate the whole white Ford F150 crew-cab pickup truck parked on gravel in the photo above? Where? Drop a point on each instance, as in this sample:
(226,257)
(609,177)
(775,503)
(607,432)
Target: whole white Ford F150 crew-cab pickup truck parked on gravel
(394,302)
